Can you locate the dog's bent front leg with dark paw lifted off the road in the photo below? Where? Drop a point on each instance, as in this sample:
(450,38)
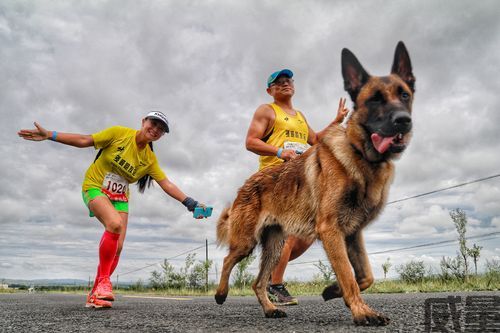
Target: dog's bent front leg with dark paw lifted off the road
(359,261)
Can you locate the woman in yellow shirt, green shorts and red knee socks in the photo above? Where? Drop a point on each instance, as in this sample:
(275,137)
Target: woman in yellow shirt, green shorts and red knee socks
(126,156)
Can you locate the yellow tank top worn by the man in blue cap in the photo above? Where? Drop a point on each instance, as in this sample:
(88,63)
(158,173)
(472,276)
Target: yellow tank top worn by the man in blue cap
(288,132)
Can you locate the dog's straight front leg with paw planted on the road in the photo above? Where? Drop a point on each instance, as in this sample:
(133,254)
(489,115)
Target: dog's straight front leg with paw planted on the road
(335,246)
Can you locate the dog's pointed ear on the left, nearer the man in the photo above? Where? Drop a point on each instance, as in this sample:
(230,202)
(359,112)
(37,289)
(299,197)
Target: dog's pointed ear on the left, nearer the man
(355,76)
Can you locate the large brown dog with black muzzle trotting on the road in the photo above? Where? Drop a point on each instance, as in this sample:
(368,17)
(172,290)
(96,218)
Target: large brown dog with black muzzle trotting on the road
(330,193)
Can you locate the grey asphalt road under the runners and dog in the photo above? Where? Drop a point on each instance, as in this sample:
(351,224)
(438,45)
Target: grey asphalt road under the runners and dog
(47,312)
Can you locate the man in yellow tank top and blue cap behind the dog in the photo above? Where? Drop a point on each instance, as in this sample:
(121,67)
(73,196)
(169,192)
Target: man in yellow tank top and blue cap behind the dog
(280,133)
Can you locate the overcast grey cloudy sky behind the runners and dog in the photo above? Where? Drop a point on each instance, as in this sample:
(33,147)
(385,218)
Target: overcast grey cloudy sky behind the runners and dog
(82,66)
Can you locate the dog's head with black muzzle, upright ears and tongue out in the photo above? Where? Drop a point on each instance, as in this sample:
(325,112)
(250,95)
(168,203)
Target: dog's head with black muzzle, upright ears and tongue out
(380,126)
